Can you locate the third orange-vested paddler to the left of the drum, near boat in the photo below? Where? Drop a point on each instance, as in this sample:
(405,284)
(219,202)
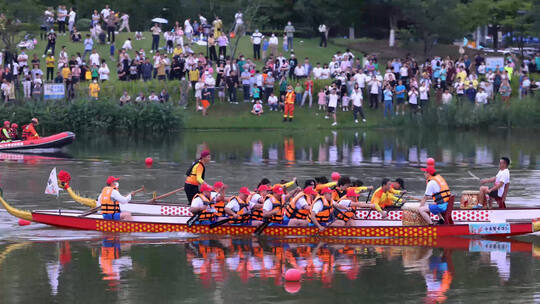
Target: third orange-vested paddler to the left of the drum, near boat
(299,209)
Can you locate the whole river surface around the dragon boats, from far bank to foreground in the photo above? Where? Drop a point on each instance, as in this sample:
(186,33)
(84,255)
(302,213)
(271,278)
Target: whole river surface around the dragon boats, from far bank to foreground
(39,264)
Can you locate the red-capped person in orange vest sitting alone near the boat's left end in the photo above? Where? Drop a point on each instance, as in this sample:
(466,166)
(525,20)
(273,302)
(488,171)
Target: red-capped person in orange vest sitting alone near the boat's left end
(110,200)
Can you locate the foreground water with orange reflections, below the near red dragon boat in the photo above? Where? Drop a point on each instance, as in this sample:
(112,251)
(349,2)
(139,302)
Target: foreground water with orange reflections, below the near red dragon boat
(427,270)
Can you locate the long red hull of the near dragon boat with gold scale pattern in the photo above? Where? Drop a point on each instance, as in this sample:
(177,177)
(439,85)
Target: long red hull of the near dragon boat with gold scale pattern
(71,219)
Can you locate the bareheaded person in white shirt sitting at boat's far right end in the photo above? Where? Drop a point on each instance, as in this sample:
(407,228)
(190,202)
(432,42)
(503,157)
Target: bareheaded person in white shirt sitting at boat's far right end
(499,183)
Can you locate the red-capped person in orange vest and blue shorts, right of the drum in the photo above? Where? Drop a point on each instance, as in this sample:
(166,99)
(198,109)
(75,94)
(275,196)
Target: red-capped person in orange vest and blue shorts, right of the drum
(436,189)
